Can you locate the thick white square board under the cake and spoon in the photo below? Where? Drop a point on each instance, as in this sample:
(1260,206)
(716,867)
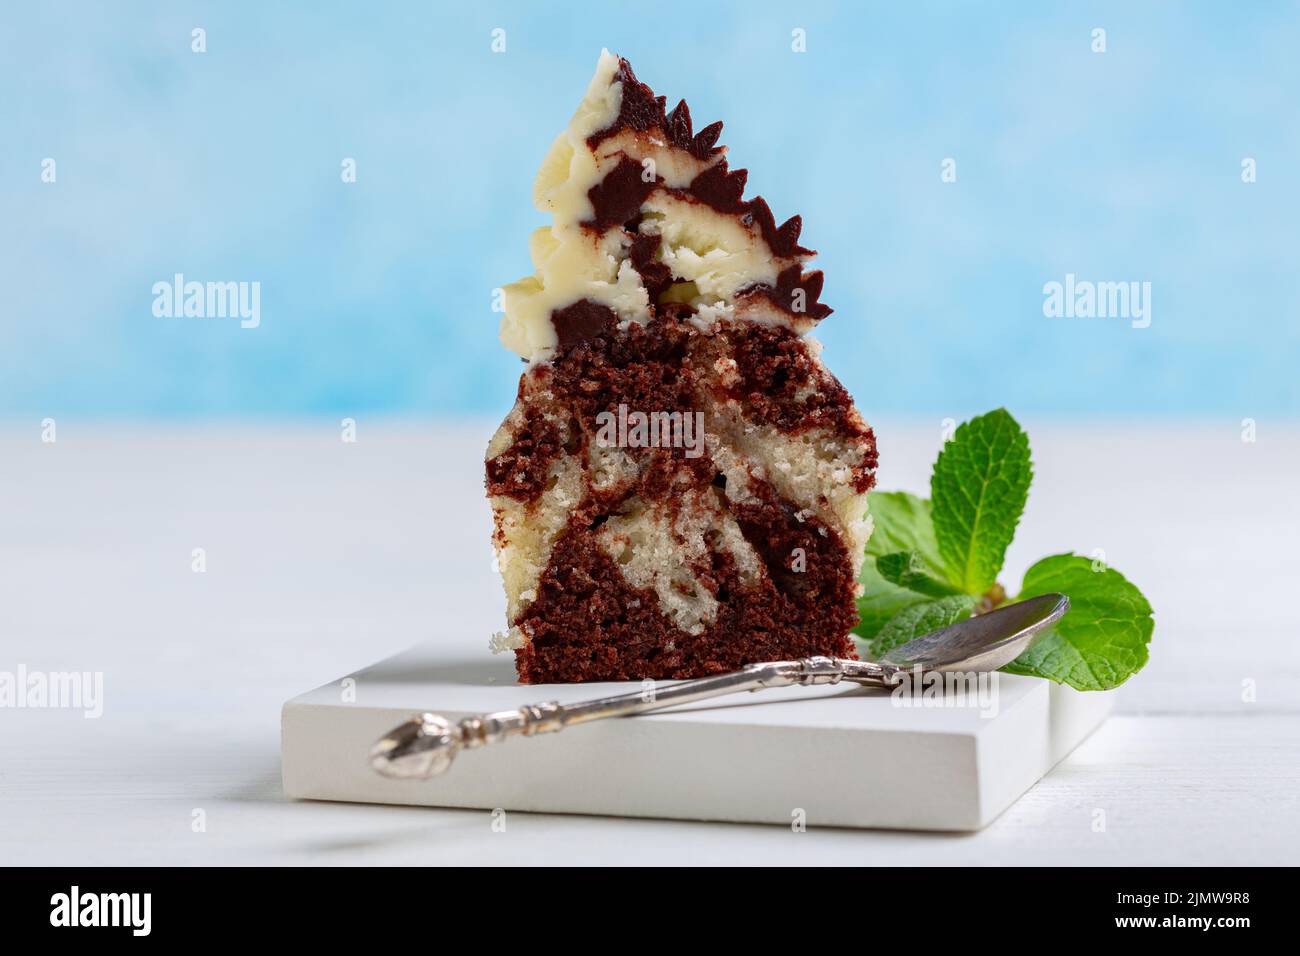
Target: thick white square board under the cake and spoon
(843,756)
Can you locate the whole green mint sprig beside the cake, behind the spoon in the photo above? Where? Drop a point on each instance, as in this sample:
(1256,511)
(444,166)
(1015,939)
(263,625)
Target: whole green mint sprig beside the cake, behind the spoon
(933,564)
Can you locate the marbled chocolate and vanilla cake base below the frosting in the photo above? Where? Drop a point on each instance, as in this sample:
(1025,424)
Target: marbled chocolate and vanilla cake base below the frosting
(583,618)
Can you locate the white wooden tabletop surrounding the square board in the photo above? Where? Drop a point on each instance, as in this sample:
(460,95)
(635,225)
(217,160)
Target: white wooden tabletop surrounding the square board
(323,557)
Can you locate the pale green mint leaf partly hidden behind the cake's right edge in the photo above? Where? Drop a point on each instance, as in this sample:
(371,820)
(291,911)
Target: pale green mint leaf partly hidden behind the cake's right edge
(902,524)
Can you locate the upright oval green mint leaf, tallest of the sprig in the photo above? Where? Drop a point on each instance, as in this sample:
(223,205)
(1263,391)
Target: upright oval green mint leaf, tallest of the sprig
(978,492)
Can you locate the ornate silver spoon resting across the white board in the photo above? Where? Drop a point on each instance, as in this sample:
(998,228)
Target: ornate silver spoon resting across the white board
(426,746)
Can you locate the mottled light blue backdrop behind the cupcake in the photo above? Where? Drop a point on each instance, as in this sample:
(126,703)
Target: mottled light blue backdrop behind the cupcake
(378,296)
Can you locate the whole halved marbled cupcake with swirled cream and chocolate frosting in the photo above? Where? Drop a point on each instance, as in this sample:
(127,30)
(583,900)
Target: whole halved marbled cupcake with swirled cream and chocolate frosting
(662,291)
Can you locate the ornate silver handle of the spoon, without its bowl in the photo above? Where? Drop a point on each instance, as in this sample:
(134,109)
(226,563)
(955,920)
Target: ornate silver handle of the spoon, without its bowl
(427,745)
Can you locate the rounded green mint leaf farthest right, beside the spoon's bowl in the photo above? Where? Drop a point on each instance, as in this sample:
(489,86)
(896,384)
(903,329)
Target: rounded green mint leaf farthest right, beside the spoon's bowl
(1102,641)
